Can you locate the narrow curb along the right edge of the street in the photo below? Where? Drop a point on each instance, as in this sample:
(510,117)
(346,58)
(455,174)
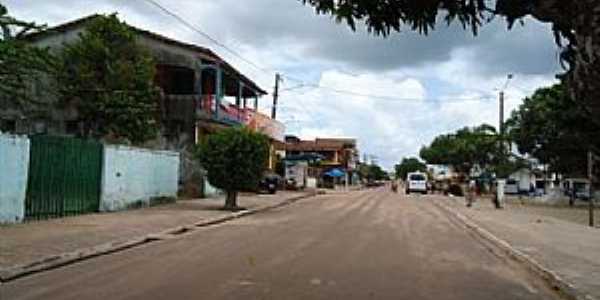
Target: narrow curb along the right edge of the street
(552,278)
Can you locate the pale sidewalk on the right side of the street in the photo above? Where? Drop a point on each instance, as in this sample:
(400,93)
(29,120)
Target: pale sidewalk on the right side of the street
(565,246)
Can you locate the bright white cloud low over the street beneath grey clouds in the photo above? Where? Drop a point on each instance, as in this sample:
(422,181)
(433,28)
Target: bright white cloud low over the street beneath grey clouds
(395,128)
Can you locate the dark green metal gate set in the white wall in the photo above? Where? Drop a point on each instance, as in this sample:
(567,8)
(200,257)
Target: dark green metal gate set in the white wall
(64,177)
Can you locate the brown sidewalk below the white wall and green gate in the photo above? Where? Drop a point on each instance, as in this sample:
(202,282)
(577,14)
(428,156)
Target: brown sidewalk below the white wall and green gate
(30,242)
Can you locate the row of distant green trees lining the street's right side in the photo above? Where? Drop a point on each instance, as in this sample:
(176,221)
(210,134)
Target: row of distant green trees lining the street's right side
(549,129)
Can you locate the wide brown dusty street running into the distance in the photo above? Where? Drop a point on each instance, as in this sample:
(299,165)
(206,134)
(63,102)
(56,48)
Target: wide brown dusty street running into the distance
(363,245)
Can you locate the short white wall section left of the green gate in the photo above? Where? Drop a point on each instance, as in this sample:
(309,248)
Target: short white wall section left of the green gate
(14,169)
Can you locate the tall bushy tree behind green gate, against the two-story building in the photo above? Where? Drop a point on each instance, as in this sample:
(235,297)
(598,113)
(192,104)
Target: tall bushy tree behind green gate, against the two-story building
(109,76)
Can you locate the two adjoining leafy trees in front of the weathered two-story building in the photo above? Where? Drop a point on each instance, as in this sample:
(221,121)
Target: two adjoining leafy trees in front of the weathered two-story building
(106,75)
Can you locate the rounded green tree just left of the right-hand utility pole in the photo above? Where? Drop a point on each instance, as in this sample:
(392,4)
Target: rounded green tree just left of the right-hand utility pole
(464,149)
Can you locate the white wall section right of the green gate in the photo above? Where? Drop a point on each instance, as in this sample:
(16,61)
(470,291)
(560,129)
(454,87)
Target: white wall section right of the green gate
(132,176)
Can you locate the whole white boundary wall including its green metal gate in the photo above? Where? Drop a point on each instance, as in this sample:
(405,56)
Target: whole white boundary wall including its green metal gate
(44,177)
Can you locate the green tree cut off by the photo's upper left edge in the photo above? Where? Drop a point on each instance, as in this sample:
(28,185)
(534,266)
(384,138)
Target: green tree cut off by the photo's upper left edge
(21,65)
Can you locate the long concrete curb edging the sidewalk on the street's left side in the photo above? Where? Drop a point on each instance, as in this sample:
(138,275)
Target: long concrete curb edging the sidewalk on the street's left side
(61,260)
